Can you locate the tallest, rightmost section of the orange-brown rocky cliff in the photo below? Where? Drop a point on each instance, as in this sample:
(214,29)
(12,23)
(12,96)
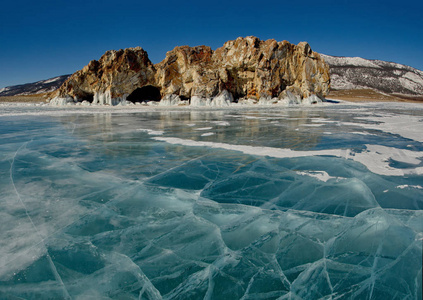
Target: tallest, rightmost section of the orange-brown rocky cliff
(249,67)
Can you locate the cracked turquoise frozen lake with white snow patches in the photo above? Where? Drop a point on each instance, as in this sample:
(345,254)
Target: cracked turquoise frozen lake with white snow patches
(320,202)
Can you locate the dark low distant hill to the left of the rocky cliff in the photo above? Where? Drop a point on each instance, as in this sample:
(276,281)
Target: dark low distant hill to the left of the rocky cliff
(39,87)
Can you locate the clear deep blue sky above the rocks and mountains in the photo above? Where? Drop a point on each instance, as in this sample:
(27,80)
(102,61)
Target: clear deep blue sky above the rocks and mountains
(44,39)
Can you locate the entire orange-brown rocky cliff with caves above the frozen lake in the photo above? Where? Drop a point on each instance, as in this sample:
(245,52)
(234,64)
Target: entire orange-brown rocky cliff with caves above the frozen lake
(246,67)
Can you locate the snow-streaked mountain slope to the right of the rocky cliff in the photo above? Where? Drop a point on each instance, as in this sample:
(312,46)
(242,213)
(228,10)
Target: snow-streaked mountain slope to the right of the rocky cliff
(385,77)
